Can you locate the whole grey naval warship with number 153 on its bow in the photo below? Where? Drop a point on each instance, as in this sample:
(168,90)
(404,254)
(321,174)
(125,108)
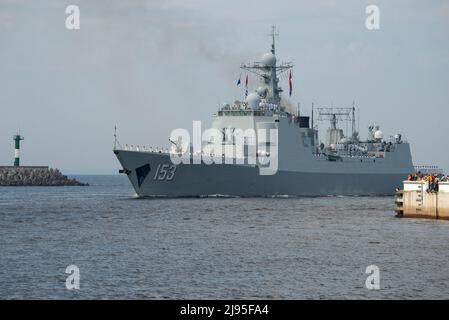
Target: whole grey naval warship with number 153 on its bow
(341,164)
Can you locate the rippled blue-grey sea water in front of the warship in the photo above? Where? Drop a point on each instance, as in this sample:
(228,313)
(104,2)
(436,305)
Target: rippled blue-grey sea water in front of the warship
(268,248)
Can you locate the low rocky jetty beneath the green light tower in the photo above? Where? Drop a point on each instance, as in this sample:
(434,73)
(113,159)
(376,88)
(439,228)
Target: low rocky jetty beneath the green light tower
(35,176)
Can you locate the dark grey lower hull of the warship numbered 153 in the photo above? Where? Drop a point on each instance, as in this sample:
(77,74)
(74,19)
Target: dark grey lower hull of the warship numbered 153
(197,180)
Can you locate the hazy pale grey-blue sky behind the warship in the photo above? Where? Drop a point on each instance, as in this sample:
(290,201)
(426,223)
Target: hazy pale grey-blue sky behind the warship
(152,66)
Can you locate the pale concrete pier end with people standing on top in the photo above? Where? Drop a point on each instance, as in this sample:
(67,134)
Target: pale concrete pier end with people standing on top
(415,201)
